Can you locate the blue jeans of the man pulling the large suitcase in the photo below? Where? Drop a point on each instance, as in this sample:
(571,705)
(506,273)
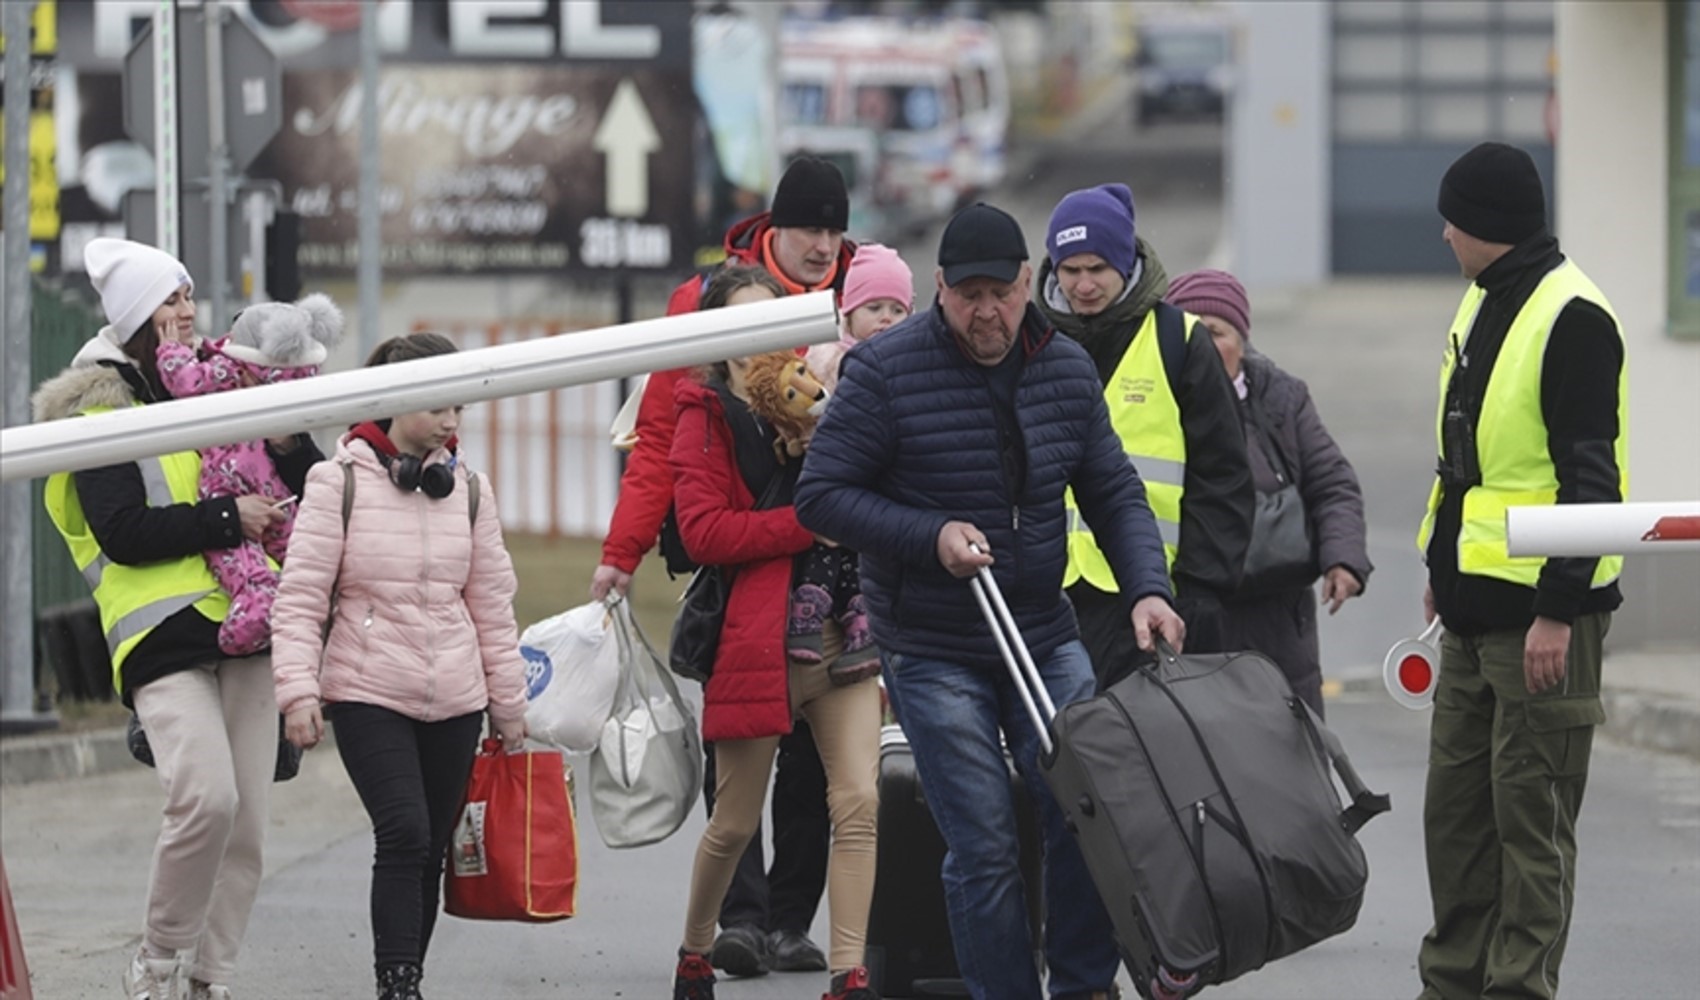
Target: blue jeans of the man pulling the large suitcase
(951,715)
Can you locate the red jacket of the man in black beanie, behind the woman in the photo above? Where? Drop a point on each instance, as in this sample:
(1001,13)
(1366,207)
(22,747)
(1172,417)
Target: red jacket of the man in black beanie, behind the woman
(647,487)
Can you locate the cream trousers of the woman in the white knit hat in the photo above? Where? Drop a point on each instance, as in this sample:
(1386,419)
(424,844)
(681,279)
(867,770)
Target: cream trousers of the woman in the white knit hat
(213,730)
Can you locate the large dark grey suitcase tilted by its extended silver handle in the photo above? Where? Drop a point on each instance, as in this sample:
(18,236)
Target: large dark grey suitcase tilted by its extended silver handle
(1203,795)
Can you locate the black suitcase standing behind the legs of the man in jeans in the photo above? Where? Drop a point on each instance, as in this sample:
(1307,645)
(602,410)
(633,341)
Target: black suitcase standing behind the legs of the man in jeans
(909,929)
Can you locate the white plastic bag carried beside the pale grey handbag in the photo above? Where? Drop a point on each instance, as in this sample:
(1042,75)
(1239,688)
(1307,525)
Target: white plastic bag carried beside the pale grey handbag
(572,676)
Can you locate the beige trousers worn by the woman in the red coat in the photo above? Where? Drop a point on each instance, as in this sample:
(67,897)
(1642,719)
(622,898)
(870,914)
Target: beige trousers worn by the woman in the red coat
(846,724)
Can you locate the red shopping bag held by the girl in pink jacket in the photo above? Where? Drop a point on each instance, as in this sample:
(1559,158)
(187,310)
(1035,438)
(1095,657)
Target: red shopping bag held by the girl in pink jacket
(514,855)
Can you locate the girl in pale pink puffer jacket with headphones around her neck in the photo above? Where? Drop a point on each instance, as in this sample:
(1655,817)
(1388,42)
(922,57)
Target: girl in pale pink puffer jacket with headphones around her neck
(419,591)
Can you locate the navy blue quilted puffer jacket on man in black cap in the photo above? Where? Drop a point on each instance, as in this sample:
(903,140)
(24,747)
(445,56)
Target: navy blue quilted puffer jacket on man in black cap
(912,443)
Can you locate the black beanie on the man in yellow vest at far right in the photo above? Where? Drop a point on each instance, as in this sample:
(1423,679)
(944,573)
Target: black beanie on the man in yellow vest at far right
(1493,193)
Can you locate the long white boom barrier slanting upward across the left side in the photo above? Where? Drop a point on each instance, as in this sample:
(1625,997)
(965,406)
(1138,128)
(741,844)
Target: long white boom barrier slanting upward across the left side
(373,394)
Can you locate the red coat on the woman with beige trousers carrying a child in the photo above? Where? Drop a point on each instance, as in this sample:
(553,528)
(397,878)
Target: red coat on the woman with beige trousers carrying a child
(747,696)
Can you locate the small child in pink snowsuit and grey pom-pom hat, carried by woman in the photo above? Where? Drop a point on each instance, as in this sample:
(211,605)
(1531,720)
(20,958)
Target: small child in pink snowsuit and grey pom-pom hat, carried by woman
(269,343)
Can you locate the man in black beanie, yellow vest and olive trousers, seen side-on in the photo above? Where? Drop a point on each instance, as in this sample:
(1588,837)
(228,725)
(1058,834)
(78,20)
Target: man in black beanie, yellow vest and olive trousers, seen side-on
(1533,412)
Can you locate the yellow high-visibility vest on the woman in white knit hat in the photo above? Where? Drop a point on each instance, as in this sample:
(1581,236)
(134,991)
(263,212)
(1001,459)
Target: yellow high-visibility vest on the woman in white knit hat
(135,599)
